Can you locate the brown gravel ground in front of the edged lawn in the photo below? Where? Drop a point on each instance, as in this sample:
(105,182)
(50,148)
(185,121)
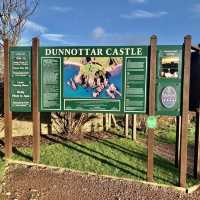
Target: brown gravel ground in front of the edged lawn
(23,182)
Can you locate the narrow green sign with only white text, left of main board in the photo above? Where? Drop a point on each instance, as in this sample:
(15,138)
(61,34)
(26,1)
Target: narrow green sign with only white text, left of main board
(20,79)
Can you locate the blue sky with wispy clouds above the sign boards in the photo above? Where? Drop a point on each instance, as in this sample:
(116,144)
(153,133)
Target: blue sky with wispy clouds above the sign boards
(113,22)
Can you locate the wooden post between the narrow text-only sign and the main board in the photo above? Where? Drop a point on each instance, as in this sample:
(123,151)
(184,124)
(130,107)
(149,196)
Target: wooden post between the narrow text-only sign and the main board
(35,101)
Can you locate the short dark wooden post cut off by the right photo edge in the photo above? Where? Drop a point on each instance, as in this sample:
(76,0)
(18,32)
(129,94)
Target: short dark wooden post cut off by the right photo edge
(197,146)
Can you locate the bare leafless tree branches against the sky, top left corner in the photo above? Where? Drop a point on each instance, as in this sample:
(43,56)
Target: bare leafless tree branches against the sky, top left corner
(13,16)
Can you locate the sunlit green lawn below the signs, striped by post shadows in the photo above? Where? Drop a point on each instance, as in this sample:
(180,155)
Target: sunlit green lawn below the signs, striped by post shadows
(116,157)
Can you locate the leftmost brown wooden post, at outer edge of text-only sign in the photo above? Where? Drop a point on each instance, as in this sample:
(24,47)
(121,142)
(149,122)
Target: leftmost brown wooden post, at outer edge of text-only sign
(7,112)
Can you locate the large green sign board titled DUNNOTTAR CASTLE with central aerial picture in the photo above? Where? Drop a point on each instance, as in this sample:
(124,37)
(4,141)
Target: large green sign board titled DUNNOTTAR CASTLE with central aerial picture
(93,79)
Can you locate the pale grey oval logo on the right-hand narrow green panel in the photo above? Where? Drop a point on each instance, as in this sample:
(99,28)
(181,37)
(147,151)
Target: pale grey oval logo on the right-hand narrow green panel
(168,97)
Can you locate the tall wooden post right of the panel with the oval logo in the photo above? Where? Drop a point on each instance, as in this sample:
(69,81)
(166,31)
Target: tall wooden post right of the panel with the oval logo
(185,110)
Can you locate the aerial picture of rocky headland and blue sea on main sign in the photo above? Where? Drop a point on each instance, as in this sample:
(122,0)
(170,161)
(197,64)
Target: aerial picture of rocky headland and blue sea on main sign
(93,77)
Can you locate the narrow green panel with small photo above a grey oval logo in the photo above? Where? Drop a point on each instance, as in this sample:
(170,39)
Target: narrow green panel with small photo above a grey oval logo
(169,80)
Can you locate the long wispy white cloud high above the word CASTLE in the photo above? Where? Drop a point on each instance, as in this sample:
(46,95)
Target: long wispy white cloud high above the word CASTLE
(143,14)
